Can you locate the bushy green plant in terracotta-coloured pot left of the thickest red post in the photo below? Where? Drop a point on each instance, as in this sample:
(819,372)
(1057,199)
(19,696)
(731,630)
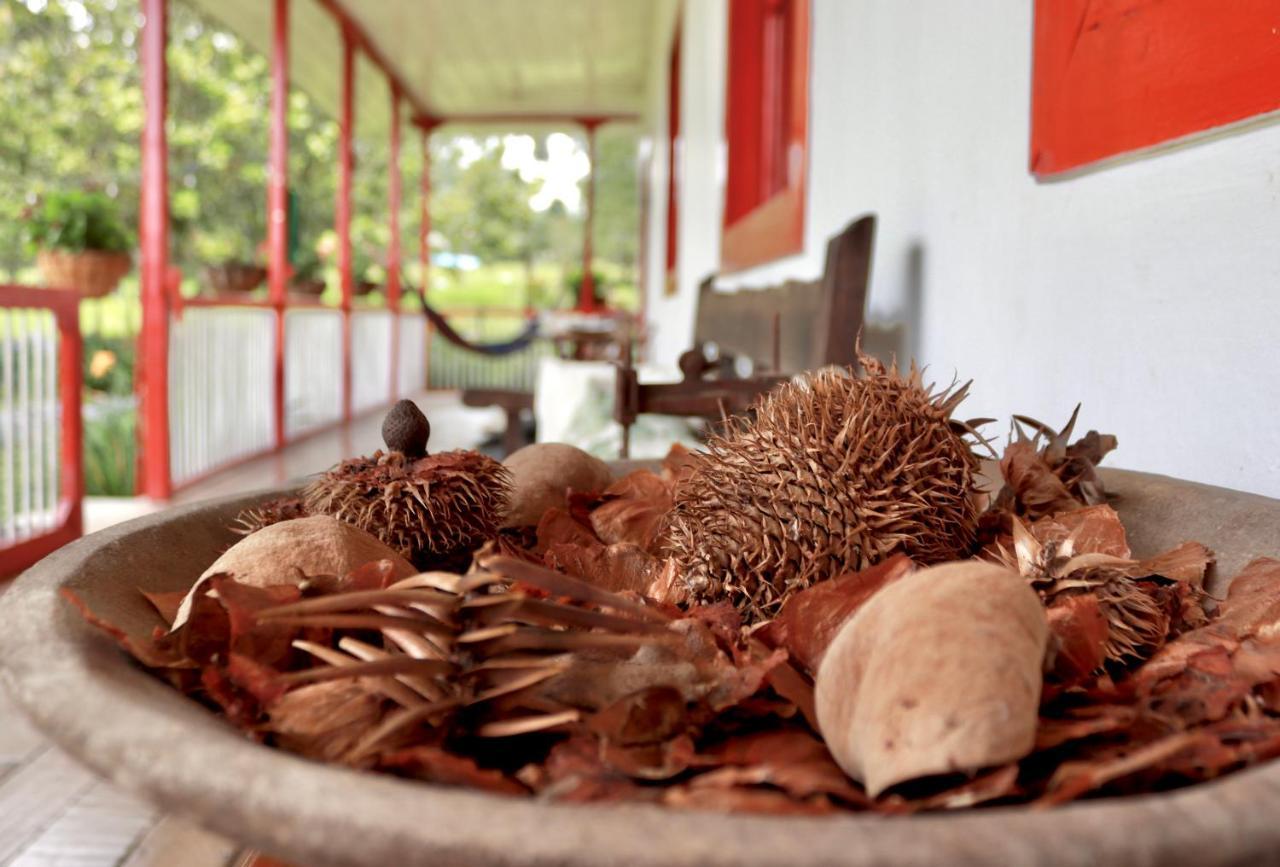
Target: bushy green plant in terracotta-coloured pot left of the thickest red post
(81,243)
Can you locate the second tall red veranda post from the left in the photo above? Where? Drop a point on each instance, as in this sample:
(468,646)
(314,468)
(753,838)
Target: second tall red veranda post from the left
(278,203)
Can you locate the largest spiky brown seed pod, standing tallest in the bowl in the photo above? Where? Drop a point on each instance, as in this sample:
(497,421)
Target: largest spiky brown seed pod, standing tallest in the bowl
(830,473)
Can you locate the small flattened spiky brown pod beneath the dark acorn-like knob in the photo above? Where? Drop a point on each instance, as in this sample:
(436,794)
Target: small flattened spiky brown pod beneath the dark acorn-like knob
(429,509)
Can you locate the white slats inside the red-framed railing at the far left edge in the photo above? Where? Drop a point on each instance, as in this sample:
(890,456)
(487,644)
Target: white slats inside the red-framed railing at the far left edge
(30,430)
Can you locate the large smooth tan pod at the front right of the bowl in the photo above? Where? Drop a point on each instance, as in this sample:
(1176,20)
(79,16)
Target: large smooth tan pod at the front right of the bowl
(939,673)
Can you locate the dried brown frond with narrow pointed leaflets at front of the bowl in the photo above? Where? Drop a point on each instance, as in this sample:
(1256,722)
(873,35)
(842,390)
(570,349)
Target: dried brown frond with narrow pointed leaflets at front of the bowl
(476,655)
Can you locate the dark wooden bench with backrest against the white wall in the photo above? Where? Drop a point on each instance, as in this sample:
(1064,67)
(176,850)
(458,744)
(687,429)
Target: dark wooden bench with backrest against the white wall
(781,331)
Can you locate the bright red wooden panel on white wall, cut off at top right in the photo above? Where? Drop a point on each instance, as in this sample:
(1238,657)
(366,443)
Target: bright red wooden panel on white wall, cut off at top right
(1113,77)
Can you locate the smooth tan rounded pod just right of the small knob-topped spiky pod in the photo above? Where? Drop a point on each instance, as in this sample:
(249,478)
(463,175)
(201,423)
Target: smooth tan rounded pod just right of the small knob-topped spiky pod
(542,476)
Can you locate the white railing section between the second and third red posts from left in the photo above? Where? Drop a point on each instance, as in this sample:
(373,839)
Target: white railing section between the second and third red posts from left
(313,369)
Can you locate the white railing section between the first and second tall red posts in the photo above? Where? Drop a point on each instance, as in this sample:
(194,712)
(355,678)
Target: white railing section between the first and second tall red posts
(222,389)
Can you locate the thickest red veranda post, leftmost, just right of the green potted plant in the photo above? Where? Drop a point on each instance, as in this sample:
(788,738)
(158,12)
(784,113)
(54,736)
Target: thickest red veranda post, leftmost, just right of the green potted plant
(154,238)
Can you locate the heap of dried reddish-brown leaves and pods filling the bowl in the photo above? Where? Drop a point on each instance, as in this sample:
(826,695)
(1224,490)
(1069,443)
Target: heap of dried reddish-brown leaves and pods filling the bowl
(574,660)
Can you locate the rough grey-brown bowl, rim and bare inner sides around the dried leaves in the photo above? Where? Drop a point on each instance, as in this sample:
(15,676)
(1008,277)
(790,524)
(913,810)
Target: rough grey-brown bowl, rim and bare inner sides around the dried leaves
(99,706)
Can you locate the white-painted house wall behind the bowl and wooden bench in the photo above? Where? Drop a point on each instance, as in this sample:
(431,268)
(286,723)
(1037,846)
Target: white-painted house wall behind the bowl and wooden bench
(1149,290)
